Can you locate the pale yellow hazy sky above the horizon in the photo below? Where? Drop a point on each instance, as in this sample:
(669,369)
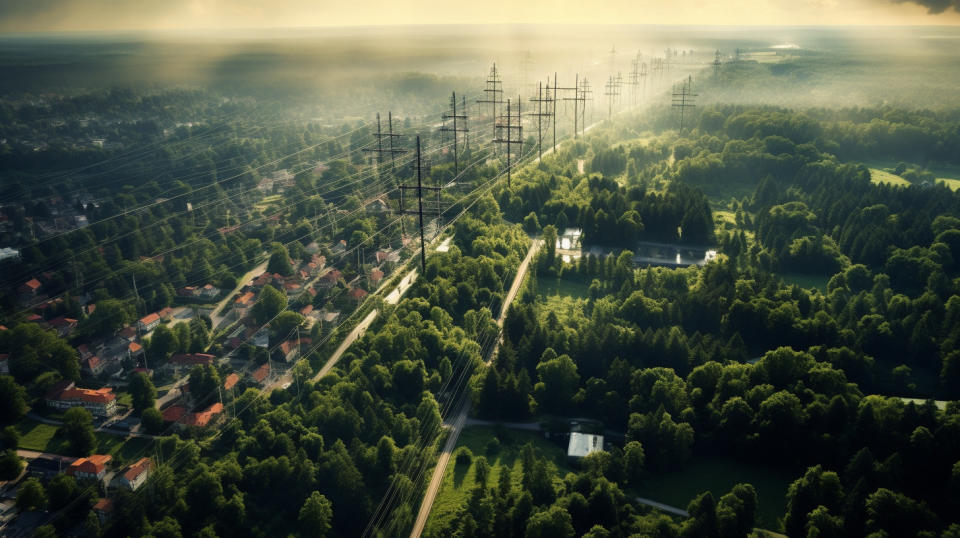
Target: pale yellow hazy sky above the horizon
(92,15)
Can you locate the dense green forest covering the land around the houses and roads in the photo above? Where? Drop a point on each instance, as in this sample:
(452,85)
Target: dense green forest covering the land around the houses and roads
(848,381)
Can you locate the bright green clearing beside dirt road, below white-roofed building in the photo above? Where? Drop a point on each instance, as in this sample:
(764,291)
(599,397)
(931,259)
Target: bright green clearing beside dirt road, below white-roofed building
(458,480)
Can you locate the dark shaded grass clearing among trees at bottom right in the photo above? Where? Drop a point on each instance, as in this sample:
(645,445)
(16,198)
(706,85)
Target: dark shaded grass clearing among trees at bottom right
(719,475)
